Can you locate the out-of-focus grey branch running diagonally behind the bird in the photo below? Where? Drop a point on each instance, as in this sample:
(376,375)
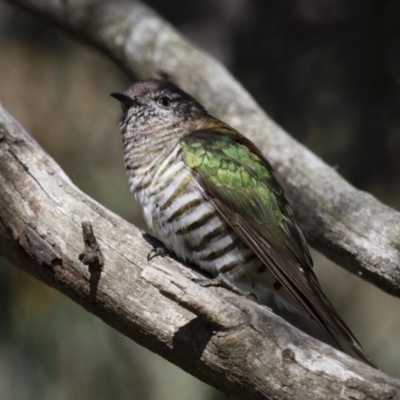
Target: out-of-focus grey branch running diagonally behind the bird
(349,226)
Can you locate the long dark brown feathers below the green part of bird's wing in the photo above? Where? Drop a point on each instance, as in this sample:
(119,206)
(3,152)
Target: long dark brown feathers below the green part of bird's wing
(293,269)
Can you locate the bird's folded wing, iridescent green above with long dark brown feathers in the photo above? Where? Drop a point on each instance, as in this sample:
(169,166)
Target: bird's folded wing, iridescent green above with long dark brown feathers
(240,182)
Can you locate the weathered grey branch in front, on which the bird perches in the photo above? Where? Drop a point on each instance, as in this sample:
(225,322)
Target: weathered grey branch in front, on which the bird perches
(229,342)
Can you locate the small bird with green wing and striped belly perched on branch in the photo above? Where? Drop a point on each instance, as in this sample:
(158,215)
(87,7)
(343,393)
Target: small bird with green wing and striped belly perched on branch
(211,197)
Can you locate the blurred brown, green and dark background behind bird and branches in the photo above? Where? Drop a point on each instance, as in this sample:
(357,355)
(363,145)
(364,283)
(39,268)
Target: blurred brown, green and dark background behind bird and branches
(328,71)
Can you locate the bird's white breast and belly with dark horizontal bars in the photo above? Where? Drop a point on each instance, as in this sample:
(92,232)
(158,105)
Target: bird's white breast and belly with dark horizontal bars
(179,215)
